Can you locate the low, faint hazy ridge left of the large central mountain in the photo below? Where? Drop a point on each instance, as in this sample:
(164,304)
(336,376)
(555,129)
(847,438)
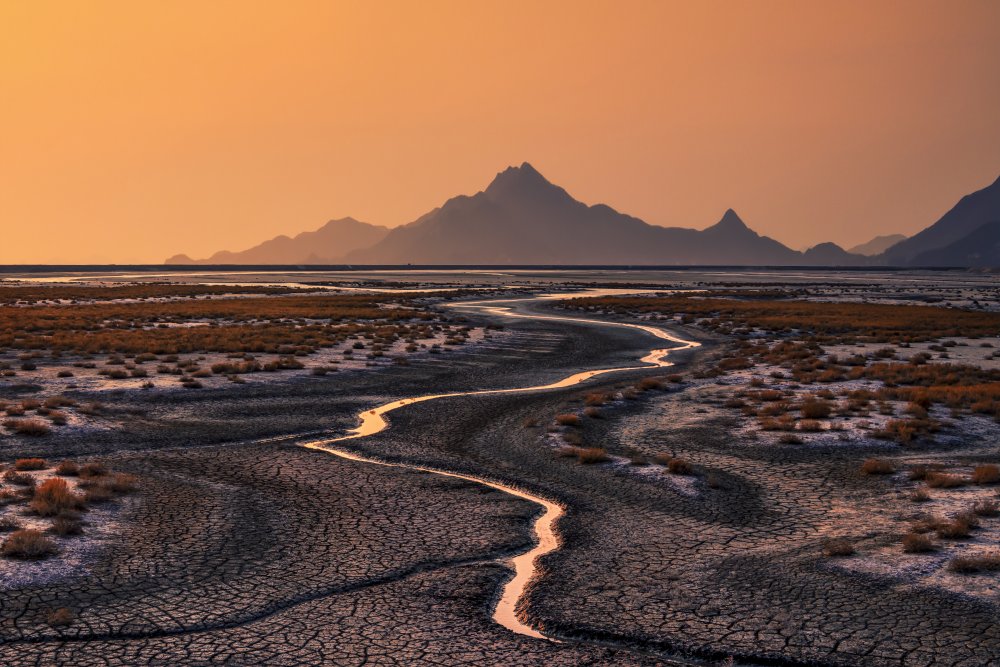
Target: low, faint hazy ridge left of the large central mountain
(326,245)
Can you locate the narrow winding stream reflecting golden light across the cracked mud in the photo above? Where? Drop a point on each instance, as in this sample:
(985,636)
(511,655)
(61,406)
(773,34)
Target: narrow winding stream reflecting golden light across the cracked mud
(546,538)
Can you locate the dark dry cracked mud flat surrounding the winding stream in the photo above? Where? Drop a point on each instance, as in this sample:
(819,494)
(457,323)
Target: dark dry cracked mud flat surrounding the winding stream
(246,550)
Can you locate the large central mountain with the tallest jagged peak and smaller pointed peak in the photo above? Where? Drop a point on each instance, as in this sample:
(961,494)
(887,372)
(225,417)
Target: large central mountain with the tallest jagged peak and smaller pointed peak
(522,218)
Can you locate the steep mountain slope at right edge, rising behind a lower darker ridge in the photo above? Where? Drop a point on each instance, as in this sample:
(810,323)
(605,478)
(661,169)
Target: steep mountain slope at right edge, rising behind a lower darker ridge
(968,215)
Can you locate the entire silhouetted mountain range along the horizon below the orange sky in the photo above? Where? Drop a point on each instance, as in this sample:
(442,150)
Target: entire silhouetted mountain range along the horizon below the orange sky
(522,218)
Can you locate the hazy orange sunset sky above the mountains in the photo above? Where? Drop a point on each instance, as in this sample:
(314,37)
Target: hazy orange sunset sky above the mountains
(132,131)
